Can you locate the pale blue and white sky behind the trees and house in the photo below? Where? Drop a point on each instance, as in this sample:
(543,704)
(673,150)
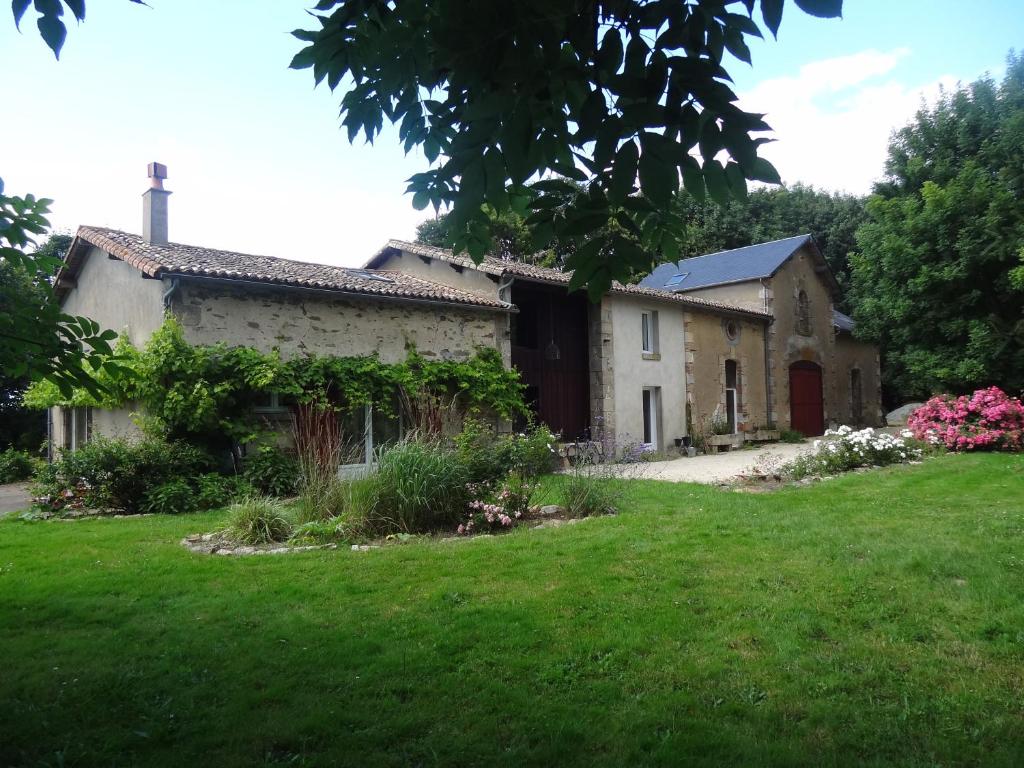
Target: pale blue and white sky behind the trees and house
(258,161)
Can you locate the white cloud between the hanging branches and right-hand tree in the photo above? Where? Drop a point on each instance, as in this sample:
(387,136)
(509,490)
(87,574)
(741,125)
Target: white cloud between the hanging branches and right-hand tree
(832,121)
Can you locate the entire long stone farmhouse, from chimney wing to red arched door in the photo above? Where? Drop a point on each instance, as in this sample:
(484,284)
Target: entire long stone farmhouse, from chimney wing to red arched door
(746,337)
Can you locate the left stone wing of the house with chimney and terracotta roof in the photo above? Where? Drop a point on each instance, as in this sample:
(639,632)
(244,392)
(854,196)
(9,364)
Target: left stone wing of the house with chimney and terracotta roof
(129,282)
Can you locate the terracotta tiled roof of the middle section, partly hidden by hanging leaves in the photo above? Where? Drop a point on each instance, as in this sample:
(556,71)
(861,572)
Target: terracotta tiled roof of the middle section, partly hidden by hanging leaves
(499,268)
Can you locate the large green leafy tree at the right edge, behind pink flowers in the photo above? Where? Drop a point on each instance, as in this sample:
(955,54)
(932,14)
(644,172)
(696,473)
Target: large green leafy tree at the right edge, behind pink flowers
(934,276)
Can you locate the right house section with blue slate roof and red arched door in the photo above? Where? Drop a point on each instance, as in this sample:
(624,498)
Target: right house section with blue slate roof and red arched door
(806,371)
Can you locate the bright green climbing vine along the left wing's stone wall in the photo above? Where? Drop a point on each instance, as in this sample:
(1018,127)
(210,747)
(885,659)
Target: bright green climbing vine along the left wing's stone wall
(207,394)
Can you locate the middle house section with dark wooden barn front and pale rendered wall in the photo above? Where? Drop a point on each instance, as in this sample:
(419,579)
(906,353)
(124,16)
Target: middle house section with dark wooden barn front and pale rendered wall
(616,371)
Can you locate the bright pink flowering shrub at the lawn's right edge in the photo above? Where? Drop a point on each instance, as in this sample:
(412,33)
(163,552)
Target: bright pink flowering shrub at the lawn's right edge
(988,420)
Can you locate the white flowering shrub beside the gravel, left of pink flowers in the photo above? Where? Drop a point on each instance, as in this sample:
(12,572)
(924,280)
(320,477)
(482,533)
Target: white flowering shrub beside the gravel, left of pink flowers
(848,449)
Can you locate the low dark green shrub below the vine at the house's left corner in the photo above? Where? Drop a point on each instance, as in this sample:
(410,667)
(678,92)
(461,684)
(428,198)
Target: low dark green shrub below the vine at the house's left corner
(117,474)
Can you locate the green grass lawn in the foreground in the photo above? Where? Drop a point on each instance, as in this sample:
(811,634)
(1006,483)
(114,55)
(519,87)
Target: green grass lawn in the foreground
(873,620)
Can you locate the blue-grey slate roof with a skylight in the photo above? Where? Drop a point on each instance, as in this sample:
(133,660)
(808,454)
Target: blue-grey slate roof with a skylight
(724,268)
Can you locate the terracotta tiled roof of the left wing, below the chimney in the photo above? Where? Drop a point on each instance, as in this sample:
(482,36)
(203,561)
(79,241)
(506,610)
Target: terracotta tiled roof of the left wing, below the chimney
(180,260)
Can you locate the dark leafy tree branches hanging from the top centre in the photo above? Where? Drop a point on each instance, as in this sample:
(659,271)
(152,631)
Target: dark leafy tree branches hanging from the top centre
(629,98)
